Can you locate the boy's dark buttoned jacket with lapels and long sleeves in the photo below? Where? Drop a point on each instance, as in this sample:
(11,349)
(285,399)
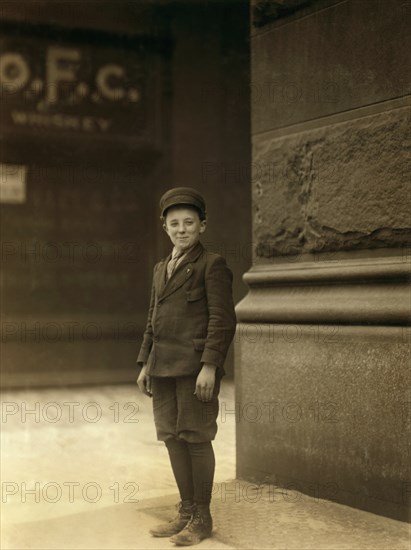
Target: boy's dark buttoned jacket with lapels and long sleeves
(191,318)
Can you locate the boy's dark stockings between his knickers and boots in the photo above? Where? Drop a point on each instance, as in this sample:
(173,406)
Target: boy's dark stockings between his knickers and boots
(193,466)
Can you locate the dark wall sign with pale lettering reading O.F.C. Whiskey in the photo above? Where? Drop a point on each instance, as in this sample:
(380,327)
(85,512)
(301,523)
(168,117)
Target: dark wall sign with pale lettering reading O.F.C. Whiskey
(63,89)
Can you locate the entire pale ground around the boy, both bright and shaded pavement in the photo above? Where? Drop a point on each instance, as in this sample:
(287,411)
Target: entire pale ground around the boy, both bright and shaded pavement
(100,480)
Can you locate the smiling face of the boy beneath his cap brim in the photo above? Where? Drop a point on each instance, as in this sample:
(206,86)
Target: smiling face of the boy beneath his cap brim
(183,226)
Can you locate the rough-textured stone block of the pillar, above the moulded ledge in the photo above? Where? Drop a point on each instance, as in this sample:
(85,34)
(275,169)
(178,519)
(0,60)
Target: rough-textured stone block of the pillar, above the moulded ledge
(340,187)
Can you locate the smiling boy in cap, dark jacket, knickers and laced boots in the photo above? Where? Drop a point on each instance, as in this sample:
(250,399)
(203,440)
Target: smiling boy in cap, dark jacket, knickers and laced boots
(191,323)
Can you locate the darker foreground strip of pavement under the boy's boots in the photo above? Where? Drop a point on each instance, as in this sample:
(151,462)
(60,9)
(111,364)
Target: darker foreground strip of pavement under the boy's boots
(283,525)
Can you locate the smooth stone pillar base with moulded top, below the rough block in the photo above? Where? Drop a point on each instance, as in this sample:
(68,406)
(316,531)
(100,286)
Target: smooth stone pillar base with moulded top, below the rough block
(323,398)
